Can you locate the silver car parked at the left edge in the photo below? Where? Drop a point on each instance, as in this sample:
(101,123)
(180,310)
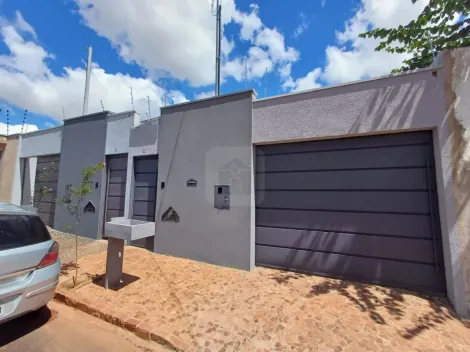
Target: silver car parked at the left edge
(29,262)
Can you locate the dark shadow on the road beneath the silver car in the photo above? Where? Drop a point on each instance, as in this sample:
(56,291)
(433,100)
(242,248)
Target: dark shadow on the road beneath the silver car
(22,326)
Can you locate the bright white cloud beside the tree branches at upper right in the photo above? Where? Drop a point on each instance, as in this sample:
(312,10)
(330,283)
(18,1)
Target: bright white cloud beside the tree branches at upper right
(355,58)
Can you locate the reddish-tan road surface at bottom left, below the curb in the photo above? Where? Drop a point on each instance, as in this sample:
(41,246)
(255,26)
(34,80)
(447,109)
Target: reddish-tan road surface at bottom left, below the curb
(58,328)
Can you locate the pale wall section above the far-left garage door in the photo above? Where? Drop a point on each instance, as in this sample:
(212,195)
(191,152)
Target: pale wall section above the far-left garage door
(44,142)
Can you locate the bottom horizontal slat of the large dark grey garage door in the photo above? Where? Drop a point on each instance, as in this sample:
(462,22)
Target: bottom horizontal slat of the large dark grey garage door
(386,272)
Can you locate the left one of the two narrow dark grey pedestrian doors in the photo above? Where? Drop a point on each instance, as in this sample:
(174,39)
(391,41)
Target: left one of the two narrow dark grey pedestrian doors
(116,190)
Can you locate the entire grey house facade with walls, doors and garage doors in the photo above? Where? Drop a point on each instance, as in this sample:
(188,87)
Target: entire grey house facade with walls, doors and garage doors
(365,181)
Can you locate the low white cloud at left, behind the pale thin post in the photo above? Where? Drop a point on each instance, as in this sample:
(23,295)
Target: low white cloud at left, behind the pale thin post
(27,82)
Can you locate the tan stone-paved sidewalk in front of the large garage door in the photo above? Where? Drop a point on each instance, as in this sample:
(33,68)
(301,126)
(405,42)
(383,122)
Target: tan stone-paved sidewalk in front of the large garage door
(201,307)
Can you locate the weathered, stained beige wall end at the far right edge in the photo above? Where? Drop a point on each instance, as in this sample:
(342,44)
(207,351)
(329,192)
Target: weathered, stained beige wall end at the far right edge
(457,100)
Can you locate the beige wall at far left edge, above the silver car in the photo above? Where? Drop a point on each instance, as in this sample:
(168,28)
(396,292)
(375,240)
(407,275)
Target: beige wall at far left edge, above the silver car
(7,168)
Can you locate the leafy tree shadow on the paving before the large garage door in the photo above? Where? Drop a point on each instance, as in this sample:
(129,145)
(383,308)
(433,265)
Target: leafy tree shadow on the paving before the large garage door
(373,300)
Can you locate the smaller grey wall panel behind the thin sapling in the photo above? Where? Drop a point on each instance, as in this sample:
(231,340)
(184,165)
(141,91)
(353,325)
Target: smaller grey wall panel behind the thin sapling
(83,145)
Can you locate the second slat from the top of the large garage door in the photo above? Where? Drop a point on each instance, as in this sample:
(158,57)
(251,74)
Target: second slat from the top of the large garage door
(391,179)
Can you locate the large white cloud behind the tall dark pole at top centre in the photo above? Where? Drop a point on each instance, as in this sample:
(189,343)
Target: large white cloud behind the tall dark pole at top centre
(177,38)
